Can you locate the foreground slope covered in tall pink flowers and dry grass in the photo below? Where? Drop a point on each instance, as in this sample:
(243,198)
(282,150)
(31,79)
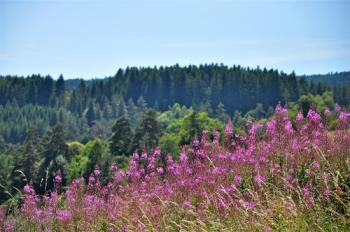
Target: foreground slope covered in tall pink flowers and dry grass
(281,176)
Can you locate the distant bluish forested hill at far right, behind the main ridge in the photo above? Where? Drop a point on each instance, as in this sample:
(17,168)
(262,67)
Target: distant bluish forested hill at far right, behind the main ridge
(338,78)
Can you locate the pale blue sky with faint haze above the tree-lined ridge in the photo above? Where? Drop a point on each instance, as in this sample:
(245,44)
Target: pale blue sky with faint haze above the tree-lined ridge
(94,38)
